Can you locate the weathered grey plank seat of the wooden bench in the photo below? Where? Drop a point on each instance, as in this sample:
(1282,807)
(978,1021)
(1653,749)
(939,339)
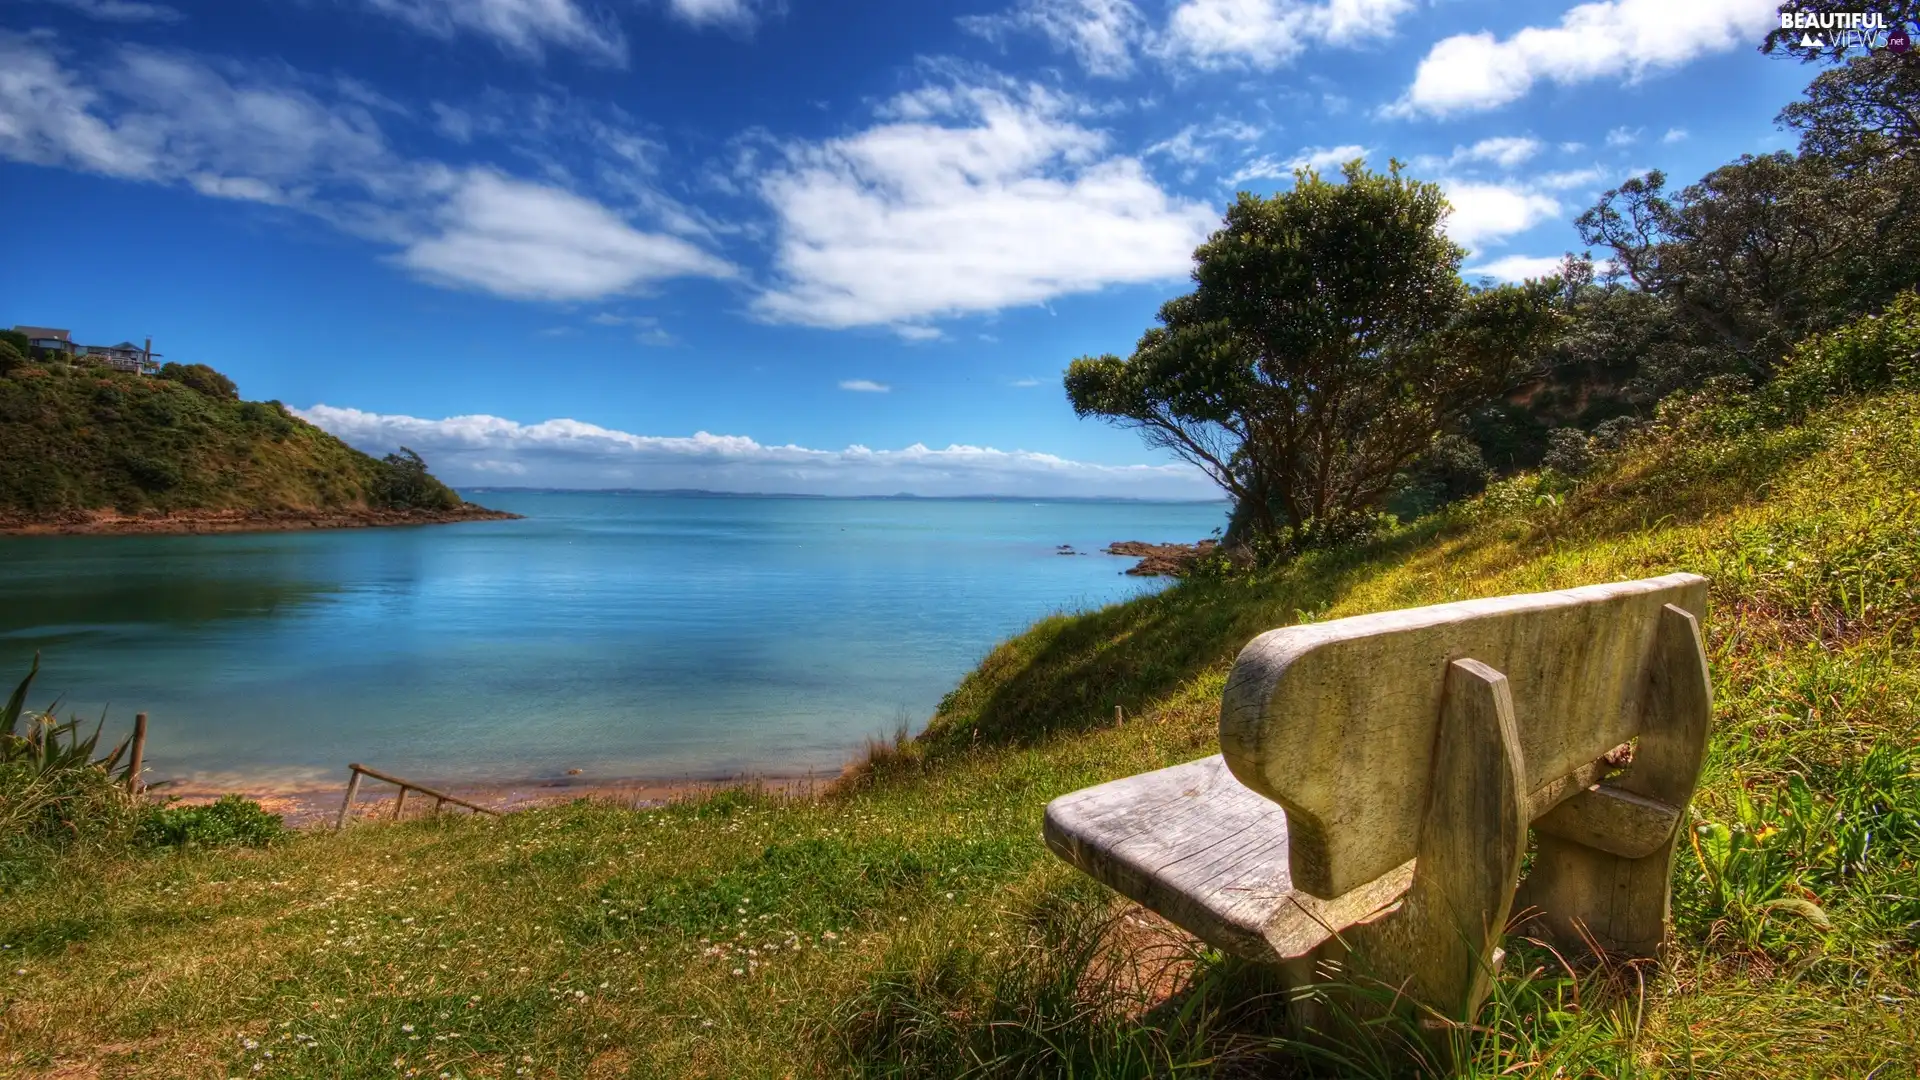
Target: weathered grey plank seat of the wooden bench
(1211,856)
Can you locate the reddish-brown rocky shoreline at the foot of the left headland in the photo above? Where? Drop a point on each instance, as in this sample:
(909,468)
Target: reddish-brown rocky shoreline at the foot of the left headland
(112,524)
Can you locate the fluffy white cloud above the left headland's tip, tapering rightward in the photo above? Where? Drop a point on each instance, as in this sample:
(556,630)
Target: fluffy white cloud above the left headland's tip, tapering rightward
(540,243)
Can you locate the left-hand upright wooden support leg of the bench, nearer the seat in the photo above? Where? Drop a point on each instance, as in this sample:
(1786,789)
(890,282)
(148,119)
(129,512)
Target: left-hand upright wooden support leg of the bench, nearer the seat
(1441,948)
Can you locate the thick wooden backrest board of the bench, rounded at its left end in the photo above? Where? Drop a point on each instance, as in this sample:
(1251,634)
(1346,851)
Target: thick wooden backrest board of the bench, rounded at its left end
(1337,722)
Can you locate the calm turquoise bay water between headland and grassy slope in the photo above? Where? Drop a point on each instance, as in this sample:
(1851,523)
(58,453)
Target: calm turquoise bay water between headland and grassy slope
(619,635)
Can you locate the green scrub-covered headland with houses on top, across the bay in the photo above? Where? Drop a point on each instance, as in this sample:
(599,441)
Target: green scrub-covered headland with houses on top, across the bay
(89,439)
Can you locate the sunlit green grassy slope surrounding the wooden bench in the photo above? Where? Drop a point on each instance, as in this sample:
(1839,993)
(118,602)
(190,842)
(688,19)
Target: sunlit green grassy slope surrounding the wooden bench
(913,923)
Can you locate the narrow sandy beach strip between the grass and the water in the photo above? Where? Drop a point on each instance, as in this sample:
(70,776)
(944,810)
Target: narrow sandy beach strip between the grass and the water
(318,806)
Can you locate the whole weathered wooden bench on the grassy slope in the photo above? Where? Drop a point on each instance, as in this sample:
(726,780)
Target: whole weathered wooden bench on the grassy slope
(1380,777)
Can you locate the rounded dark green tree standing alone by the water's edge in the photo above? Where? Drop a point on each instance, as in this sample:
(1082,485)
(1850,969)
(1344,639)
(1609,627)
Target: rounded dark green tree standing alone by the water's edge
(1328,343)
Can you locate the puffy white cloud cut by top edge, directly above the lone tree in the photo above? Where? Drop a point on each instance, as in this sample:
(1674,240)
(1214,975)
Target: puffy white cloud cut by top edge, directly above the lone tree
(1268,34)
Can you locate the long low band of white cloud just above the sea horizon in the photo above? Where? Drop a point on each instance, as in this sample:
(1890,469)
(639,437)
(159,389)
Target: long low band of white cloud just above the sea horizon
(564,453)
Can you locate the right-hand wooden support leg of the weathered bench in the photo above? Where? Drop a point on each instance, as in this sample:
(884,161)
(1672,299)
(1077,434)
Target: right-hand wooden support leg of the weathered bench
(1589,898)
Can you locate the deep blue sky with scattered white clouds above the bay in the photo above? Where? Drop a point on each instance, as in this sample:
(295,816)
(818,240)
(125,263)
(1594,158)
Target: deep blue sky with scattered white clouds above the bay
(777,245)
